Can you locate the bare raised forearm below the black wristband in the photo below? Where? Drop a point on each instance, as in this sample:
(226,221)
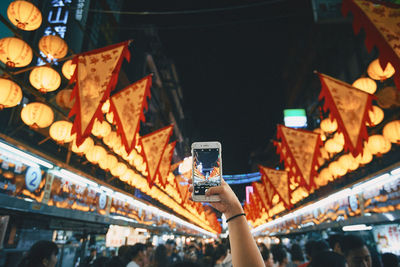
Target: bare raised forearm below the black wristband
(244,249)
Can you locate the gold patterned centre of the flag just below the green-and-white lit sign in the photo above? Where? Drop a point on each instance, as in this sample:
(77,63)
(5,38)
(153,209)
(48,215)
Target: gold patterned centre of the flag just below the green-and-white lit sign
(302,146)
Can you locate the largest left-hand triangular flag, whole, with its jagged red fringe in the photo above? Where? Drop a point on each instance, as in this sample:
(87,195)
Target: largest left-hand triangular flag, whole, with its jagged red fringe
(96,75)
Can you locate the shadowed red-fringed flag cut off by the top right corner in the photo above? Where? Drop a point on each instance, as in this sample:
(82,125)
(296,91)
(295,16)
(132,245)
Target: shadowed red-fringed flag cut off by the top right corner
(381,24)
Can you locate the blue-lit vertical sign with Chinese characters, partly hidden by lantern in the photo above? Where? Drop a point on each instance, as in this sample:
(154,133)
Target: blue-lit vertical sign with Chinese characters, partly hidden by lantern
(57,18)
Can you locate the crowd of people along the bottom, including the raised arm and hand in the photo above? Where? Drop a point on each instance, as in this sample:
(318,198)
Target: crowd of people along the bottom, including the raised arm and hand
(239,250)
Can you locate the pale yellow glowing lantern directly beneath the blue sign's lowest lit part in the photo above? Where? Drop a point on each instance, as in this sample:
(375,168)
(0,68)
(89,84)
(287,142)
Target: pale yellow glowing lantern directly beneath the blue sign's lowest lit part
(45,79)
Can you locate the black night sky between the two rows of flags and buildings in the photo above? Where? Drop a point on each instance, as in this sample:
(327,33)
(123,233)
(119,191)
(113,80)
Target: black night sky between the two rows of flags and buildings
(230,66)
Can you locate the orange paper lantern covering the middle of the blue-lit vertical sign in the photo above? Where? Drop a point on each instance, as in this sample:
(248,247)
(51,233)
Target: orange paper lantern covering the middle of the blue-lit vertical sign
(53,46)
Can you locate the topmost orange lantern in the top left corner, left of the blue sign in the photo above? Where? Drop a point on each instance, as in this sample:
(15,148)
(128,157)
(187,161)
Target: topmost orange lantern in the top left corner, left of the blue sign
(25,15)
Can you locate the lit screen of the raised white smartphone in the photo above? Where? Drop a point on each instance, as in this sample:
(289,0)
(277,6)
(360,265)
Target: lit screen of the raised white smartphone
(206,169)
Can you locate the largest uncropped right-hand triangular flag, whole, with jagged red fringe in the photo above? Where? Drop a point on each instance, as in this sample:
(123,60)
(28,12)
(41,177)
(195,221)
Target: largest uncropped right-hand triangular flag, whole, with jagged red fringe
(349,106)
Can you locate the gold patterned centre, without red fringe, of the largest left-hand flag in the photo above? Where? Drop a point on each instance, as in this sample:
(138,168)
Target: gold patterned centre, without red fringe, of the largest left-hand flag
(94,74)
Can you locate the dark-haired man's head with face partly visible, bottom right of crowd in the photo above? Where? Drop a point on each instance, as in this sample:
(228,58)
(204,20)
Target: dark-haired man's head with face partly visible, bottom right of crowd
(356,252)
